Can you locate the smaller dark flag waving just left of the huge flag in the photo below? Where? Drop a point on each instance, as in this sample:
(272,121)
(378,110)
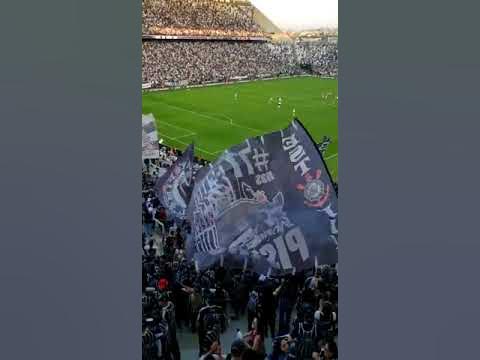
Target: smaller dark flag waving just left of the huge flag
(175,187)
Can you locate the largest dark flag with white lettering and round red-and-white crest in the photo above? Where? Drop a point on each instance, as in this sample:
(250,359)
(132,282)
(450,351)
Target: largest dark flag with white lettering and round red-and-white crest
(270,200)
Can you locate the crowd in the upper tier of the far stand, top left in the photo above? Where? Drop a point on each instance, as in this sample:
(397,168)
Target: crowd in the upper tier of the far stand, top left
(198,15)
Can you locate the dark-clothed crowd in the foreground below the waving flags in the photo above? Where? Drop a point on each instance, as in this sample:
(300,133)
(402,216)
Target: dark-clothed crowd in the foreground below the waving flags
(294,313)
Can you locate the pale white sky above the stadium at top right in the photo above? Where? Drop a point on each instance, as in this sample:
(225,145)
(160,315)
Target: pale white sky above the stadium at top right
(300,14)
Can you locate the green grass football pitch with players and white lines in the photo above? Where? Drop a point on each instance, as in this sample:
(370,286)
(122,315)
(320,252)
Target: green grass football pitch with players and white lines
(217,117)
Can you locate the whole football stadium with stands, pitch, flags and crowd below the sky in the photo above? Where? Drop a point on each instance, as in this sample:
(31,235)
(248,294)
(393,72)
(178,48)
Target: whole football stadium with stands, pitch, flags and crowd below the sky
(239,181)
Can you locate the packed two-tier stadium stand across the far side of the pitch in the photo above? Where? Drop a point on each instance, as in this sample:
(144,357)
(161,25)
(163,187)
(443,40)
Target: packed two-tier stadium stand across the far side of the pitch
(194,42)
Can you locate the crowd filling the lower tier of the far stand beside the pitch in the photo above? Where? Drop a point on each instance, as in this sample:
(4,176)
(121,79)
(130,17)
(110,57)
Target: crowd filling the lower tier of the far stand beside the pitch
(197,62)
